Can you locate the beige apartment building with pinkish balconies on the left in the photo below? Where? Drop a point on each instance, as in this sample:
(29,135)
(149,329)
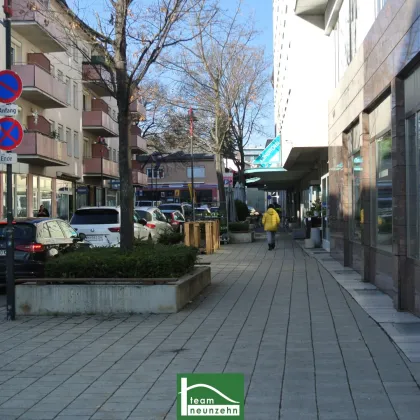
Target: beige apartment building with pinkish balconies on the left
(68,157)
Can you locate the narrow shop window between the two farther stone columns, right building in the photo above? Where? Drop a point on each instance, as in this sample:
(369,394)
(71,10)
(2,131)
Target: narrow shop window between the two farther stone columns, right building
(356,168)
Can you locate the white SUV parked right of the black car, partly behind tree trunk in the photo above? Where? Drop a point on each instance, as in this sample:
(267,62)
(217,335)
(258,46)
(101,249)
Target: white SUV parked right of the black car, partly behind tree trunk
(102,225)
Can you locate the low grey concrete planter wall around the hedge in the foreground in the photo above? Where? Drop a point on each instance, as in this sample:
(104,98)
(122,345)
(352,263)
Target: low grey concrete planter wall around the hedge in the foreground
(105,299)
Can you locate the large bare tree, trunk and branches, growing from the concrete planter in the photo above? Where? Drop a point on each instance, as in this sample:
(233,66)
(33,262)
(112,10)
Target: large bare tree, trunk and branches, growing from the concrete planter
(131,36)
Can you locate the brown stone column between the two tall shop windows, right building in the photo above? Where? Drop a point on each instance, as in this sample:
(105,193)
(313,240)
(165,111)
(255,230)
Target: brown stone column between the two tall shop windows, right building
(366,185)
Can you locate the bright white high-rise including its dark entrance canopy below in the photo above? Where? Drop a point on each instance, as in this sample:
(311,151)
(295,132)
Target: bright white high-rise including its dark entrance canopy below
(301,78)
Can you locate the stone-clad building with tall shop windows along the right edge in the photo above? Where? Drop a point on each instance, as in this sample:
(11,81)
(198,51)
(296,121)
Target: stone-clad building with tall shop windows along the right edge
(374,146)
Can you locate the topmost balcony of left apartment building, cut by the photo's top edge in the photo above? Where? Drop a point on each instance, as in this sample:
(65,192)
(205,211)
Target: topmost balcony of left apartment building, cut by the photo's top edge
(32,20)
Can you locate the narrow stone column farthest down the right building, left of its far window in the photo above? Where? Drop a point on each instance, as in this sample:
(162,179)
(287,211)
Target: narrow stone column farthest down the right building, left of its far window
(345,201)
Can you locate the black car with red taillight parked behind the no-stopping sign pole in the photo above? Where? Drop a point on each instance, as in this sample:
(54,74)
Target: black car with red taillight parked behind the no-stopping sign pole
(37,240)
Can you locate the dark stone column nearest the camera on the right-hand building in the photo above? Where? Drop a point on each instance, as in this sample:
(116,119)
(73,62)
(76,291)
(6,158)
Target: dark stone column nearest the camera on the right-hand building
(403,284)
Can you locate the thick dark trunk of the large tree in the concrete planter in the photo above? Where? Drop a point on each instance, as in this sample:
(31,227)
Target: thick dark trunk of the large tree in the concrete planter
(126,183)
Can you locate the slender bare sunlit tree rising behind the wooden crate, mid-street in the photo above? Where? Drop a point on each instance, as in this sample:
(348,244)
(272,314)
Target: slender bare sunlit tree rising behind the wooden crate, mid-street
(205,71)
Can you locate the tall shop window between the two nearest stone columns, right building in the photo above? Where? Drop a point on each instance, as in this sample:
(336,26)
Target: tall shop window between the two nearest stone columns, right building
(383,193)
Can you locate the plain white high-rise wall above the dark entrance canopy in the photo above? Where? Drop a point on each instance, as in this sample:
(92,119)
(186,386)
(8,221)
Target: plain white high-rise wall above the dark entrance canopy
(303,79)
